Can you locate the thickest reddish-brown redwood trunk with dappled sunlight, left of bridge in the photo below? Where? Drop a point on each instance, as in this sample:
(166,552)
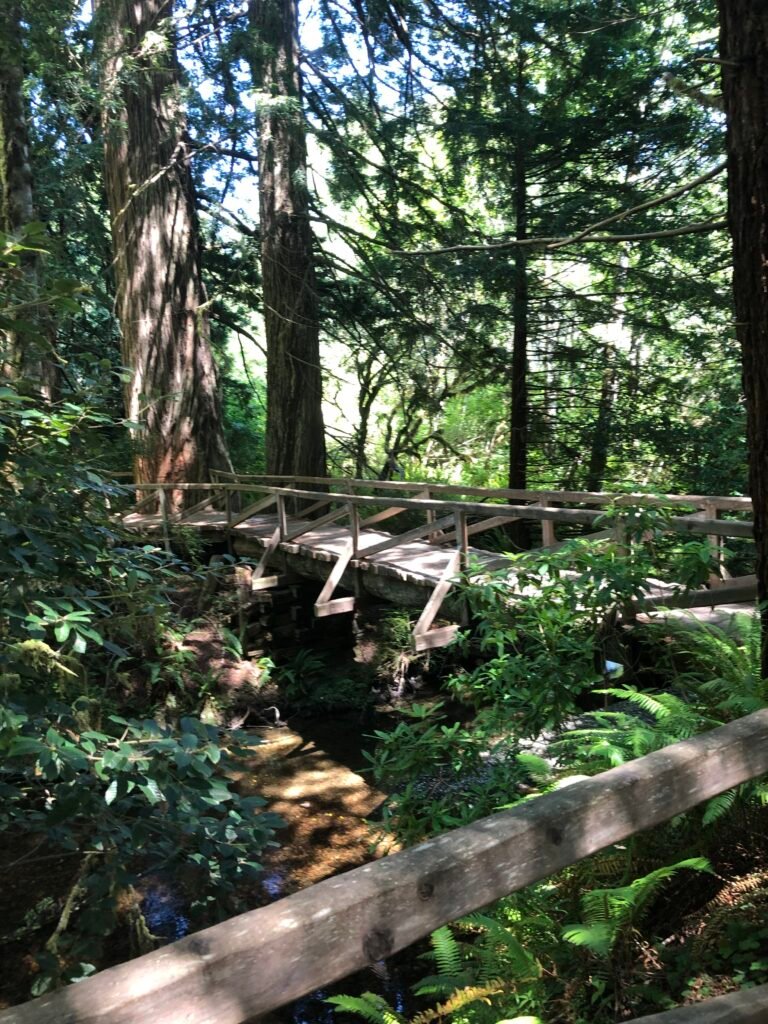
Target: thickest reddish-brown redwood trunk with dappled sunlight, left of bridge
(173,395)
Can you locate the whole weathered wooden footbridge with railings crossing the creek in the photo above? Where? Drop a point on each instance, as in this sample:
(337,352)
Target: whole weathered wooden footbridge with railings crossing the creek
(331,529)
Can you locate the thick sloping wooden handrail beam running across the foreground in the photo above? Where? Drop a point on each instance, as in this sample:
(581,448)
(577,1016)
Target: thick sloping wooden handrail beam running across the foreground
(262,960)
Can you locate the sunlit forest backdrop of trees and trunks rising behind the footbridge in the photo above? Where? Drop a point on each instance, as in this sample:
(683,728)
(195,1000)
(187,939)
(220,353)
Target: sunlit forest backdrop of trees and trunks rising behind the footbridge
(481,243)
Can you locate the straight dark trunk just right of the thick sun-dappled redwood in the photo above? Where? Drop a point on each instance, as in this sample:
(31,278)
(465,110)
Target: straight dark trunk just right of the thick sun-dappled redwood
(295,436)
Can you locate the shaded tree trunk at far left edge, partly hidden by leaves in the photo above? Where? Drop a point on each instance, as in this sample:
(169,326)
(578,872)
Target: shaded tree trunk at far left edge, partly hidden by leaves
(30,356)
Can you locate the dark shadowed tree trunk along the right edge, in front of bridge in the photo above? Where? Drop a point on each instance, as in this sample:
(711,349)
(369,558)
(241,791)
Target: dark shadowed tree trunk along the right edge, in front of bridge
(744,51)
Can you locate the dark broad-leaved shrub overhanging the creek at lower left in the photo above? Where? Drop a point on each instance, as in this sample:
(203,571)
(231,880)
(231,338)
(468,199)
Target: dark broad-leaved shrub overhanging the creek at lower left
(125,797)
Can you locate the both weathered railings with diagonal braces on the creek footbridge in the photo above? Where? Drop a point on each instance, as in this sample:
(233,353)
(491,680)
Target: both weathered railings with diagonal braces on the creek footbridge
(447,522)
